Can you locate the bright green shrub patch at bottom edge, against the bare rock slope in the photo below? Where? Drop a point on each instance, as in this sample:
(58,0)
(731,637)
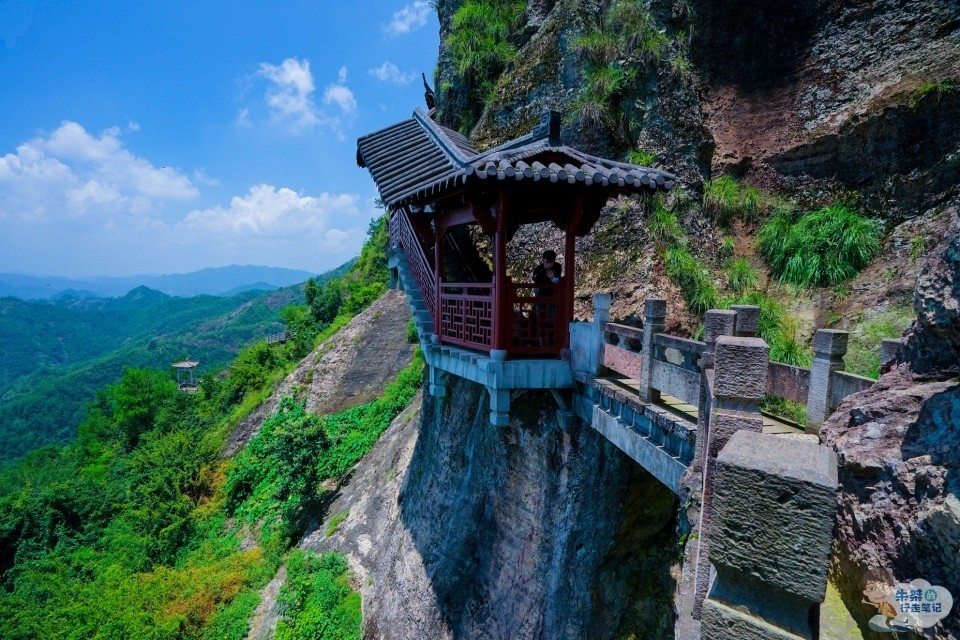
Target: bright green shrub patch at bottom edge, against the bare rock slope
(318,602)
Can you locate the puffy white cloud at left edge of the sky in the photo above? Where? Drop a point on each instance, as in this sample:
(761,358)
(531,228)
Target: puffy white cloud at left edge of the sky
(71,173)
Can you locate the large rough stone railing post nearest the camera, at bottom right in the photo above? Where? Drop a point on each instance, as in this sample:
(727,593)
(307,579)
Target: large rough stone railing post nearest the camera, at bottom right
(771,532)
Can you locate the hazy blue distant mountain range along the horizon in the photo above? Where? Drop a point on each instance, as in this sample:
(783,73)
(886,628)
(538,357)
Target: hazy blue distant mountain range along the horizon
(218,281)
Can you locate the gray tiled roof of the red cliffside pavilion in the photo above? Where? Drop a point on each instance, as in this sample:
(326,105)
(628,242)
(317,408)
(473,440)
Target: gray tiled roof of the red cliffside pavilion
(417,160)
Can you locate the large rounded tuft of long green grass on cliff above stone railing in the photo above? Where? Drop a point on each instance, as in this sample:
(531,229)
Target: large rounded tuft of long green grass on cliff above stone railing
(820,248)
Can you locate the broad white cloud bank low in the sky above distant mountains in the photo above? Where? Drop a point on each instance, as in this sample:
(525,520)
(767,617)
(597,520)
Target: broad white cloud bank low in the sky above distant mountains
(73,202)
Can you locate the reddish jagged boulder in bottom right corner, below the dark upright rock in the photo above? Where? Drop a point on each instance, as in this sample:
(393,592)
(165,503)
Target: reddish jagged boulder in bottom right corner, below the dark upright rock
(898,446)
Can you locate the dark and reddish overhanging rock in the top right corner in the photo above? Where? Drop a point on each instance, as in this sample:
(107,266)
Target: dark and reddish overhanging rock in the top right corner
(854,94)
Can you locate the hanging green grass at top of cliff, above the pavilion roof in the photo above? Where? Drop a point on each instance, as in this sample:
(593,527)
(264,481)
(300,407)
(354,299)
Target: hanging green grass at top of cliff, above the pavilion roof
(481,46)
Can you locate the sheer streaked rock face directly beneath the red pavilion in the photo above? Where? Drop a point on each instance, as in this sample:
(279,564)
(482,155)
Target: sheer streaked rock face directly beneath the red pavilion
(462,530)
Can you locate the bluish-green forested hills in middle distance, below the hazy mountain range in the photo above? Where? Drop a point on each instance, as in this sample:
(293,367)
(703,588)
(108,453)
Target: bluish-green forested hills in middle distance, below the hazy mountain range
(71,347)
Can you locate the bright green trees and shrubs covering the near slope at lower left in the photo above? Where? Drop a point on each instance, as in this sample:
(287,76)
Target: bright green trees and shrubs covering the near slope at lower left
(139,529)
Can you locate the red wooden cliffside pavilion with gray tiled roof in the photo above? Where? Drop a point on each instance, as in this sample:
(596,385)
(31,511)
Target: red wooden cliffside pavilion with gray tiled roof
(434,182)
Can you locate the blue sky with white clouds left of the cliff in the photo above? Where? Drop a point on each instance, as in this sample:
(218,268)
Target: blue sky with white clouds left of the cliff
(164,137)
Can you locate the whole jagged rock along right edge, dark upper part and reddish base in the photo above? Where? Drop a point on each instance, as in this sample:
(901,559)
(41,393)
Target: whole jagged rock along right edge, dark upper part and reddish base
(899,450)
